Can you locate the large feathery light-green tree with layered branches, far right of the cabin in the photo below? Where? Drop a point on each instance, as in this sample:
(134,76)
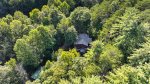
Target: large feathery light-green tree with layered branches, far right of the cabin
(127,34)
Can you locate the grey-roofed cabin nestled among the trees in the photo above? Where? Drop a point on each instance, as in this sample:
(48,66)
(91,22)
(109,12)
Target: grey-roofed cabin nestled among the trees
(82,43)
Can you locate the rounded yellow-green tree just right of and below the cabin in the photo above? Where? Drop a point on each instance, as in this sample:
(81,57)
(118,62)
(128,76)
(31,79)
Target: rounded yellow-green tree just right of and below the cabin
(110,58)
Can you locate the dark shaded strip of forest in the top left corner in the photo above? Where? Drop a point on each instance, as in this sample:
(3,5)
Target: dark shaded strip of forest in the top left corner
(25,7)
